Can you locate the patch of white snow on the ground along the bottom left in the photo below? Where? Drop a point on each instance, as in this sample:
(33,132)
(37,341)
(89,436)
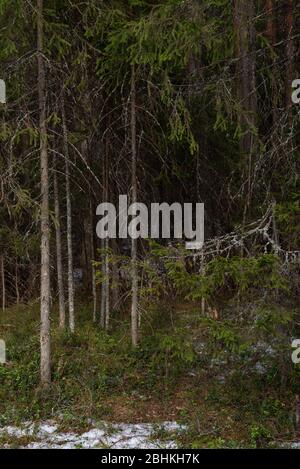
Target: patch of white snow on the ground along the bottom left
(105,435)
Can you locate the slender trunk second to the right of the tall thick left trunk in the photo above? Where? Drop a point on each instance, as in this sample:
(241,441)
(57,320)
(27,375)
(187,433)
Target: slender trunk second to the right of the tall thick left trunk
(69,225)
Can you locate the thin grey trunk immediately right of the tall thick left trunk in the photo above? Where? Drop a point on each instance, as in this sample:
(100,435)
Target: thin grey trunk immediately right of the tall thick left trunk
(59,267)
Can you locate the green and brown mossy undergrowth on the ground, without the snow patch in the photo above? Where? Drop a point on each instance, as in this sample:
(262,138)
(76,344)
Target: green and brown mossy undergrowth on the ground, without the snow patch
(229,388)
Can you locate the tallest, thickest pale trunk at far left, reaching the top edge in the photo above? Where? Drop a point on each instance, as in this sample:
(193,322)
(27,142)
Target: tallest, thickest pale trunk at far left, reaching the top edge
(45,229)
